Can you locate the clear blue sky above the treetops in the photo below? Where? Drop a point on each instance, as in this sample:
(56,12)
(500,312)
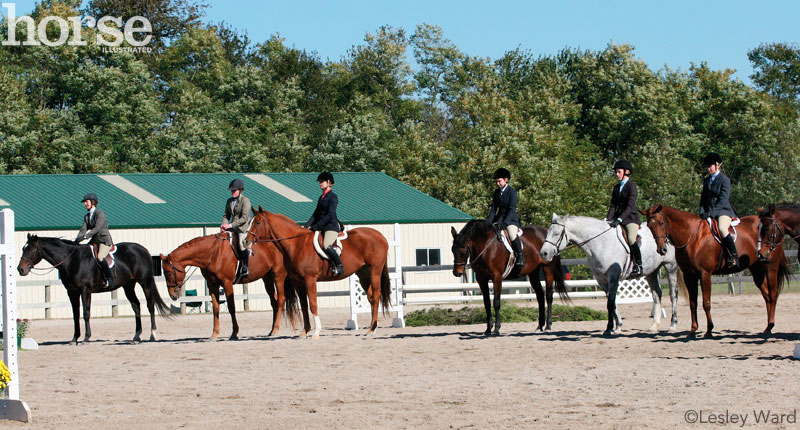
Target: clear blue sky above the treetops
(673,33)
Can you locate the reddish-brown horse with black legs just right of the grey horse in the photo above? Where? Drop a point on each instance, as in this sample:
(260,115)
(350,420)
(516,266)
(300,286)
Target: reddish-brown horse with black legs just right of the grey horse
(699,256)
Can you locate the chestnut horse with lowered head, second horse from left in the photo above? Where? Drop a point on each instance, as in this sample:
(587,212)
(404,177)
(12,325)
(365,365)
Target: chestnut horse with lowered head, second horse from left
(214,256)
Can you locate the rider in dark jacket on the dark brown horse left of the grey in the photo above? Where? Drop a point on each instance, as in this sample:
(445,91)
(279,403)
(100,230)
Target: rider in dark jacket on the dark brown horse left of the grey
(503,212)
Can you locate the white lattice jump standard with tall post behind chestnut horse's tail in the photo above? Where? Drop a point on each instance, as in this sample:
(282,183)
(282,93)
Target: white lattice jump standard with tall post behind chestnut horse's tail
(359,304)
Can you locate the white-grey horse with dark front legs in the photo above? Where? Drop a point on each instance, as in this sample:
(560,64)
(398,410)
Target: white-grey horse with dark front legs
(607,252)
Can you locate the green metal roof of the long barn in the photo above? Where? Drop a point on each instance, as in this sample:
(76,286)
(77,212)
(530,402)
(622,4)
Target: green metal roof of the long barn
(52,202)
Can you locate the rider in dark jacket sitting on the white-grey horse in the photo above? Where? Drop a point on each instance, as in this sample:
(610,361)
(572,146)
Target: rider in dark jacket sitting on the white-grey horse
(622,210)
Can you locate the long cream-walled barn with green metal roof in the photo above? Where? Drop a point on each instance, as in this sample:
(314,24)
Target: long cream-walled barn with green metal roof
(162,211)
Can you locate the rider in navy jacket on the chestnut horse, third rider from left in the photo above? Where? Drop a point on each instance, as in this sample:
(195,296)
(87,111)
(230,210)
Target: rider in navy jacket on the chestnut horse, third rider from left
(324,219)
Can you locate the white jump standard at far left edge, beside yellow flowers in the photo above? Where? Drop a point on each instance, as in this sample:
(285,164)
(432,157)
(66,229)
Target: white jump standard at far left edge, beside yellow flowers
(11,408)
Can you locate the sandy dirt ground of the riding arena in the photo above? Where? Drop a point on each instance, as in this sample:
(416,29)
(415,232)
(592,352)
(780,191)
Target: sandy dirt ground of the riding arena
(429,377)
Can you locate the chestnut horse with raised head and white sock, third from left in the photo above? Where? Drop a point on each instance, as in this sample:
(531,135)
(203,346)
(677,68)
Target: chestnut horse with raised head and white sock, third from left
(364,253)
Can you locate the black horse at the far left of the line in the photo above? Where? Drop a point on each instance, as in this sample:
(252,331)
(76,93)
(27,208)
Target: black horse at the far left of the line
(81,276)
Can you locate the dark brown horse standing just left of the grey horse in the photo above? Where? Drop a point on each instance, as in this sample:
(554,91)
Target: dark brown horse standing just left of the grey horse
(477,246)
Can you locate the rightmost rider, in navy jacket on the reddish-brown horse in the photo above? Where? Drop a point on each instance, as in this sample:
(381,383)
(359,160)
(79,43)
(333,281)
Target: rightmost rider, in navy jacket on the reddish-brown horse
(715,203)
